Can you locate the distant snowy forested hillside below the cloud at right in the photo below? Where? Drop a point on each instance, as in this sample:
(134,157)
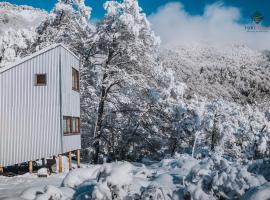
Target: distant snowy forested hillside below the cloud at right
(236,73)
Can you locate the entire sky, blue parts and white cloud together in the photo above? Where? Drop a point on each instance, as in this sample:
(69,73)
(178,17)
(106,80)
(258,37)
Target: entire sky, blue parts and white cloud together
(194,22)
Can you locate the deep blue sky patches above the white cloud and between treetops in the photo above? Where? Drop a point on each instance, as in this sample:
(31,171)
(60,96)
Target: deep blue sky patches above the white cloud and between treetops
(193,7)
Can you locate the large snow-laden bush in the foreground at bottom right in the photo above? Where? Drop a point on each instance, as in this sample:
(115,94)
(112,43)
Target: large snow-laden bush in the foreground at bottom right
(216,178)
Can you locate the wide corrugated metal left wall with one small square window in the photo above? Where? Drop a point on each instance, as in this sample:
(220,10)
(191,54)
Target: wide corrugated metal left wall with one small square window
(29,114)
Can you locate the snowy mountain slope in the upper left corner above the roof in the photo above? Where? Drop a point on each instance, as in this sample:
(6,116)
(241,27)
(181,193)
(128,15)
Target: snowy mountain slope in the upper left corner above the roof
(17,29)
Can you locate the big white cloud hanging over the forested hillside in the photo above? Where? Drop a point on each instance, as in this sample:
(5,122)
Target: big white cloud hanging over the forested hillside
(219,25)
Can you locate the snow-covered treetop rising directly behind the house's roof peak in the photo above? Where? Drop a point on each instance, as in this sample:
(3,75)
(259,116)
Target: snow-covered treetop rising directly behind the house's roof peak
(68,23)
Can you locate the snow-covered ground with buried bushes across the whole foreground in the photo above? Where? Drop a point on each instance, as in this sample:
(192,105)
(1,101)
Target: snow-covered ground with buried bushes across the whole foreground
(177,178)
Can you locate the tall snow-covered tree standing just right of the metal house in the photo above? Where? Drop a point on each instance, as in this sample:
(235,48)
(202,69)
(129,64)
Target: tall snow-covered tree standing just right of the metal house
(132,81)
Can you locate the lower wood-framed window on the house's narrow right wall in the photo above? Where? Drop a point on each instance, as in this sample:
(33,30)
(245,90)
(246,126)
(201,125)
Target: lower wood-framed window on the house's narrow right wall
(71,125)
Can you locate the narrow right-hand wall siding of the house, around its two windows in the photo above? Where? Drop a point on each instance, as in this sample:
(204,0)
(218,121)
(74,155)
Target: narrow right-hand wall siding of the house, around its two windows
(70,98)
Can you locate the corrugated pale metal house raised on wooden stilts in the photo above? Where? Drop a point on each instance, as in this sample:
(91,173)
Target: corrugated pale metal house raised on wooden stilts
(40,106)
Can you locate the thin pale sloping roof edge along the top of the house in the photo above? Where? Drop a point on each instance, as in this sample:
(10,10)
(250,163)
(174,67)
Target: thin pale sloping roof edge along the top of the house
(3,69)
